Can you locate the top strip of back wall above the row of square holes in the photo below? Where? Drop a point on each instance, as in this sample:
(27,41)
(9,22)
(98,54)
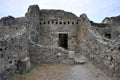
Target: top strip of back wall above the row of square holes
(57,14)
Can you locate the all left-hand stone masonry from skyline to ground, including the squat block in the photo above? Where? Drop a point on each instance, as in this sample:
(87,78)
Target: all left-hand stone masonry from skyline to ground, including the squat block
(13,46)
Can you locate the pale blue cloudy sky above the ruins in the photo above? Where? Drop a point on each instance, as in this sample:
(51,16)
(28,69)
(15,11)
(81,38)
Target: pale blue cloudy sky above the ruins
(96,10)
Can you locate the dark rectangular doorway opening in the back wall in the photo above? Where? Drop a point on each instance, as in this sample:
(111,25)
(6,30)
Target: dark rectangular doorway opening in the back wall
(63,40)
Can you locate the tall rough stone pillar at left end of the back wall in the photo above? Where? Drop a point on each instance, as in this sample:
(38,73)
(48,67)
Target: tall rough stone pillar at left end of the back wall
(33,16)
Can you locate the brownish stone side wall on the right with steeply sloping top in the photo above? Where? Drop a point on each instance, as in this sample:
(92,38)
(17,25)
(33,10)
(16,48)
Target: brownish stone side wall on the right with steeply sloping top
(102,51)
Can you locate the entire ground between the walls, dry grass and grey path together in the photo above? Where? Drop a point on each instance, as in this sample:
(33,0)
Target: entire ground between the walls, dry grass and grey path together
(62,72)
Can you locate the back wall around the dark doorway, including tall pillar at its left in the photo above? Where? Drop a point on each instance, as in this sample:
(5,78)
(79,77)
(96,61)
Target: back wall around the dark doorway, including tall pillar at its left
(46,25)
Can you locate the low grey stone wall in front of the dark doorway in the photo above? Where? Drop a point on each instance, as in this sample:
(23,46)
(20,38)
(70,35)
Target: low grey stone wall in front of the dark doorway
(40,54)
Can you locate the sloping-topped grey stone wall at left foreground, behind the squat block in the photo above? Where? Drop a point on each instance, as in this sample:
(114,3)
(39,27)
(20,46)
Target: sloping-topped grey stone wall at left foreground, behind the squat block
(13,49)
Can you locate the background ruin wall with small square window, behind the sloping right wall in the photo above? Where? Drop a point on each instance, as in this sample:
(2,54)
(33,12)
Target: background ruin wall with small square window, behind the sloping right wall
(106,30)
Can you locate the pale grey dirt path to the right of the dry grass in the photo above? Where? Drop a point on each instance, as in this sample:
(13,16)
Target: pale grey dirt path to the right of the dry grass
(85,72)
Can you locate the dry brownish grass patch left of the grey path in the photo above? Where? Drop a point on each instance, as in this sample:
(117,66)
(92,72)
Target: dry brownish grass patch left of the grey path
(43,72)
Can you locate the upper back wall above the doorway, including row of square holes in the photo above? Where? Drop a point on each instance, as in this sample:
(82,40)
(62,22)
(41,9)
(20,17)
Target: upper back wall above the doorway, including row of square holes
(58,20)
